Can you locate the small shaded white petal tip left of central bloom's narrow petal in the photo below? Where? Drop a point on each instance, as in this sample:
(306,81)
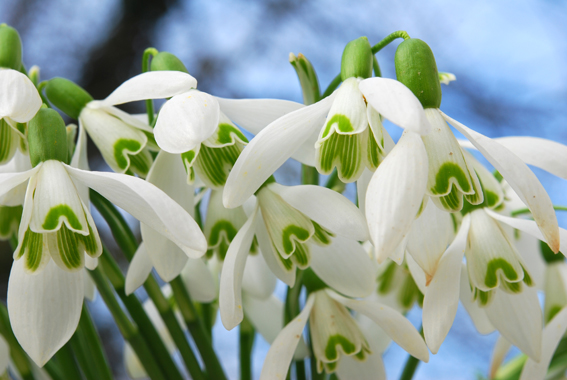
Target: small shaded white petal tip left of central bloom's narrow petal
(199,281)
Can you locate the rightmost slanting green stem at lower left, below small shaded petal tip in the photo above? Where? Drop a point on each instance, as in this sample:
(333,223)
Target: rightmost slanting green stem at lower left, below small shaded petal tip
(197,330)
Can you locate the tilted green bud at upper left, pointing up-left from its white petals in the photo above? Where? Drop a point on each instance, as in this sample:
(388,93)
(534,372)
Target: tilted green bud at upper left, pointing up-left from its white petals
(67,96)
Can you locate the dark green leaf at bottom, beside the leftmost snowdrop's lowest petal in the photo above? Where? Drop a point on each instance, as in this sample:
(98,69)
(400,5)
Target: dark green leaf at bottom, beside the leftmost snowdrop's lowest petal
(88,348)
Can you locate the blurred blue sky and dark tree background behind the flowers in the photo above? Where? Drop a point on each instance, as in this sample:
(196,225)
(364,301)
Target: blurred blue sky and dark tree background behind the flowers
(509,56)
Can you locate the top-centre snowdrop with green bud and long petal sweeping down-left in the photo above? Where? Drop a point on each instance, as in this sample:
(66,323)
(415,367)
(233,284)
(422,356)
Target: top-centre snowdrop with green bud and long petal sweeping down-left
(340,131)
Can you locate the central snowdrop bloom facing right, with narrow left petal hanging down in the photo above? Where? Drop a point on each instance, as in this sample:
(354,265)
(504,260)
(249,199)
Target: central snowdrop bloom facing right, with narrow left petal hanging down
(299,226)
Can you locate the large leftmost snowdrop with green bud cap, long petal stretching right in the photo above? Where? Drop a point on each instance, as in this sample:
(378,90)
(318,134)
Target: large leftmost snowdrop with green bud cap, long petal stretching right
(45,290)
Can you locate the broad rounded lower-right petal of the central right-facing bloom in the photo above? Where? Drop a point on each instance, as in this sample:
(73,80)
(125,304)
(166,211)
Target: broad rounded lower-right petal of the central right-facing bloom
(344,266)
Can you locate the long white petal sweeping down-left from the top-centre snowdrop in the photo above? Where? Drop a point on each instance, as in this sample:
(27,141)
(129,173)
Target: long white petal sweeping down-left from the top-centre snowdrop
(270,149)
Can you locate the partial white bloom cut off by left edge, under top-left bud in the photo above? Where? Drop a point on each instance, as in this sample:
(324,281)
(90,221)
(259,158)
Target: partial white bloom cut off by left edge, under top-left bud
(19,102)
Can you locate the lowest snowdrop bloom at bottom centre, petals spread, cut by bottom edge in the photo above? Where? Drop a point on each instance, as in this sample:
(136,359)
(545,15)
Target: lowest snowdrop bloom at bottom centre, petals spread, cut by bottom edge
(335,333)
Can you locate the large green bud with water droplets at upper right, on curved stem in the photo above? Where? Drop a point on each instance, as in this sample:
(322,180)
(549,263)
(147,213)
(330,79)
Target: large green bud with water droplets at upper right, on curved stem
(416,68)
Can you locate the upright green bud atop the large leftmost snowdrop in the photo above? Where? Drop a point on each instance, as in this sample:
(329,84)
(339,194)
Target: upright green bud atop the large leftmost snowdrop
(47,137)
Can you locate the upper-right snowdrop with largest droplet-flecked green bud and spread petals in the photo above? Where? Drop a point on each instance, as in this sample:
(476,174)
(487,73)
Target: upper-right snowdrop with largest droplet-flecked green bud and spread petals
(433,164)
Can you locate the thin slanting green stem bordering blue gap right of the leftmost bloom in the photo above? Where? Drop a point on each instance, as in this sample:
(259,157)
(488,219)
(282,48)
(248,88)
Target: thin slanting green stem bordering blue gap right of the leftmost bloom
(128,330)
